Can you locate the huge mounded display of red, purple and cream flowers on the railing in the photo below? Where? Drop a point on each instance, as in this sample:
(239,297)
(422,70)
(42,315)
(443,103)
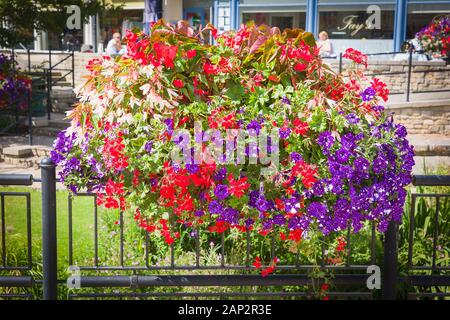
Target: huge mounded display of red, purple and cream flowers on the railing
(252,133)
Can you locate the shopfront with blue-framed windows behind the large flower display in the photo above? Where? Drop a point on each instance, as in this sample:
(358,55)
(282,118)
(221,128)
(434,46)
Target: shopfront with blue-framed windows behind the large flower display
(367,25)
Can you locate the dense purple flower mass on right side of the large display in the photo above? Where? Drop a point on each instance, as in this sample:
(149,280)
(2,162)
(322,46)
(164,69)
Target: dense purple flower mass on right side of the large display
(363,189)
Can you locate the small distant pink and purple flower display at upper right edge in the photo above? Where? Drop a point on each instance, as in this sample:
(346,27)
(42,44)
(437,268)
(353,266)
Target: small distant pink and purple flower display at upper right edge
(435,38)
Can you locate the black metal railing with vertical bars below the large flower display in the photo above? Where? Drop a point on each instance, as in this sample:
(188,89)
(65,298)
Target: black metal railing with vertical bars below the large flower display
(141,279)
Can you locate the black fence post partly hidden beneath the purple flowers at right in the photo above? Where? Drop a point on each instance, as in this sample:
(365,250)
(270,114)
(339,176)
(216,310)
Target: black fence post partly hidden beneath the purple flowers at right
(390,263)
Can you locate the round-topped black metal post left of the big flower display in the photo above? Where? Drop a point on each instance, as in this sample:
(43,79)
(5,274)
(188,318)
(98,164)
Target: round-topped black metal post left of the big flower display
(49,246)
